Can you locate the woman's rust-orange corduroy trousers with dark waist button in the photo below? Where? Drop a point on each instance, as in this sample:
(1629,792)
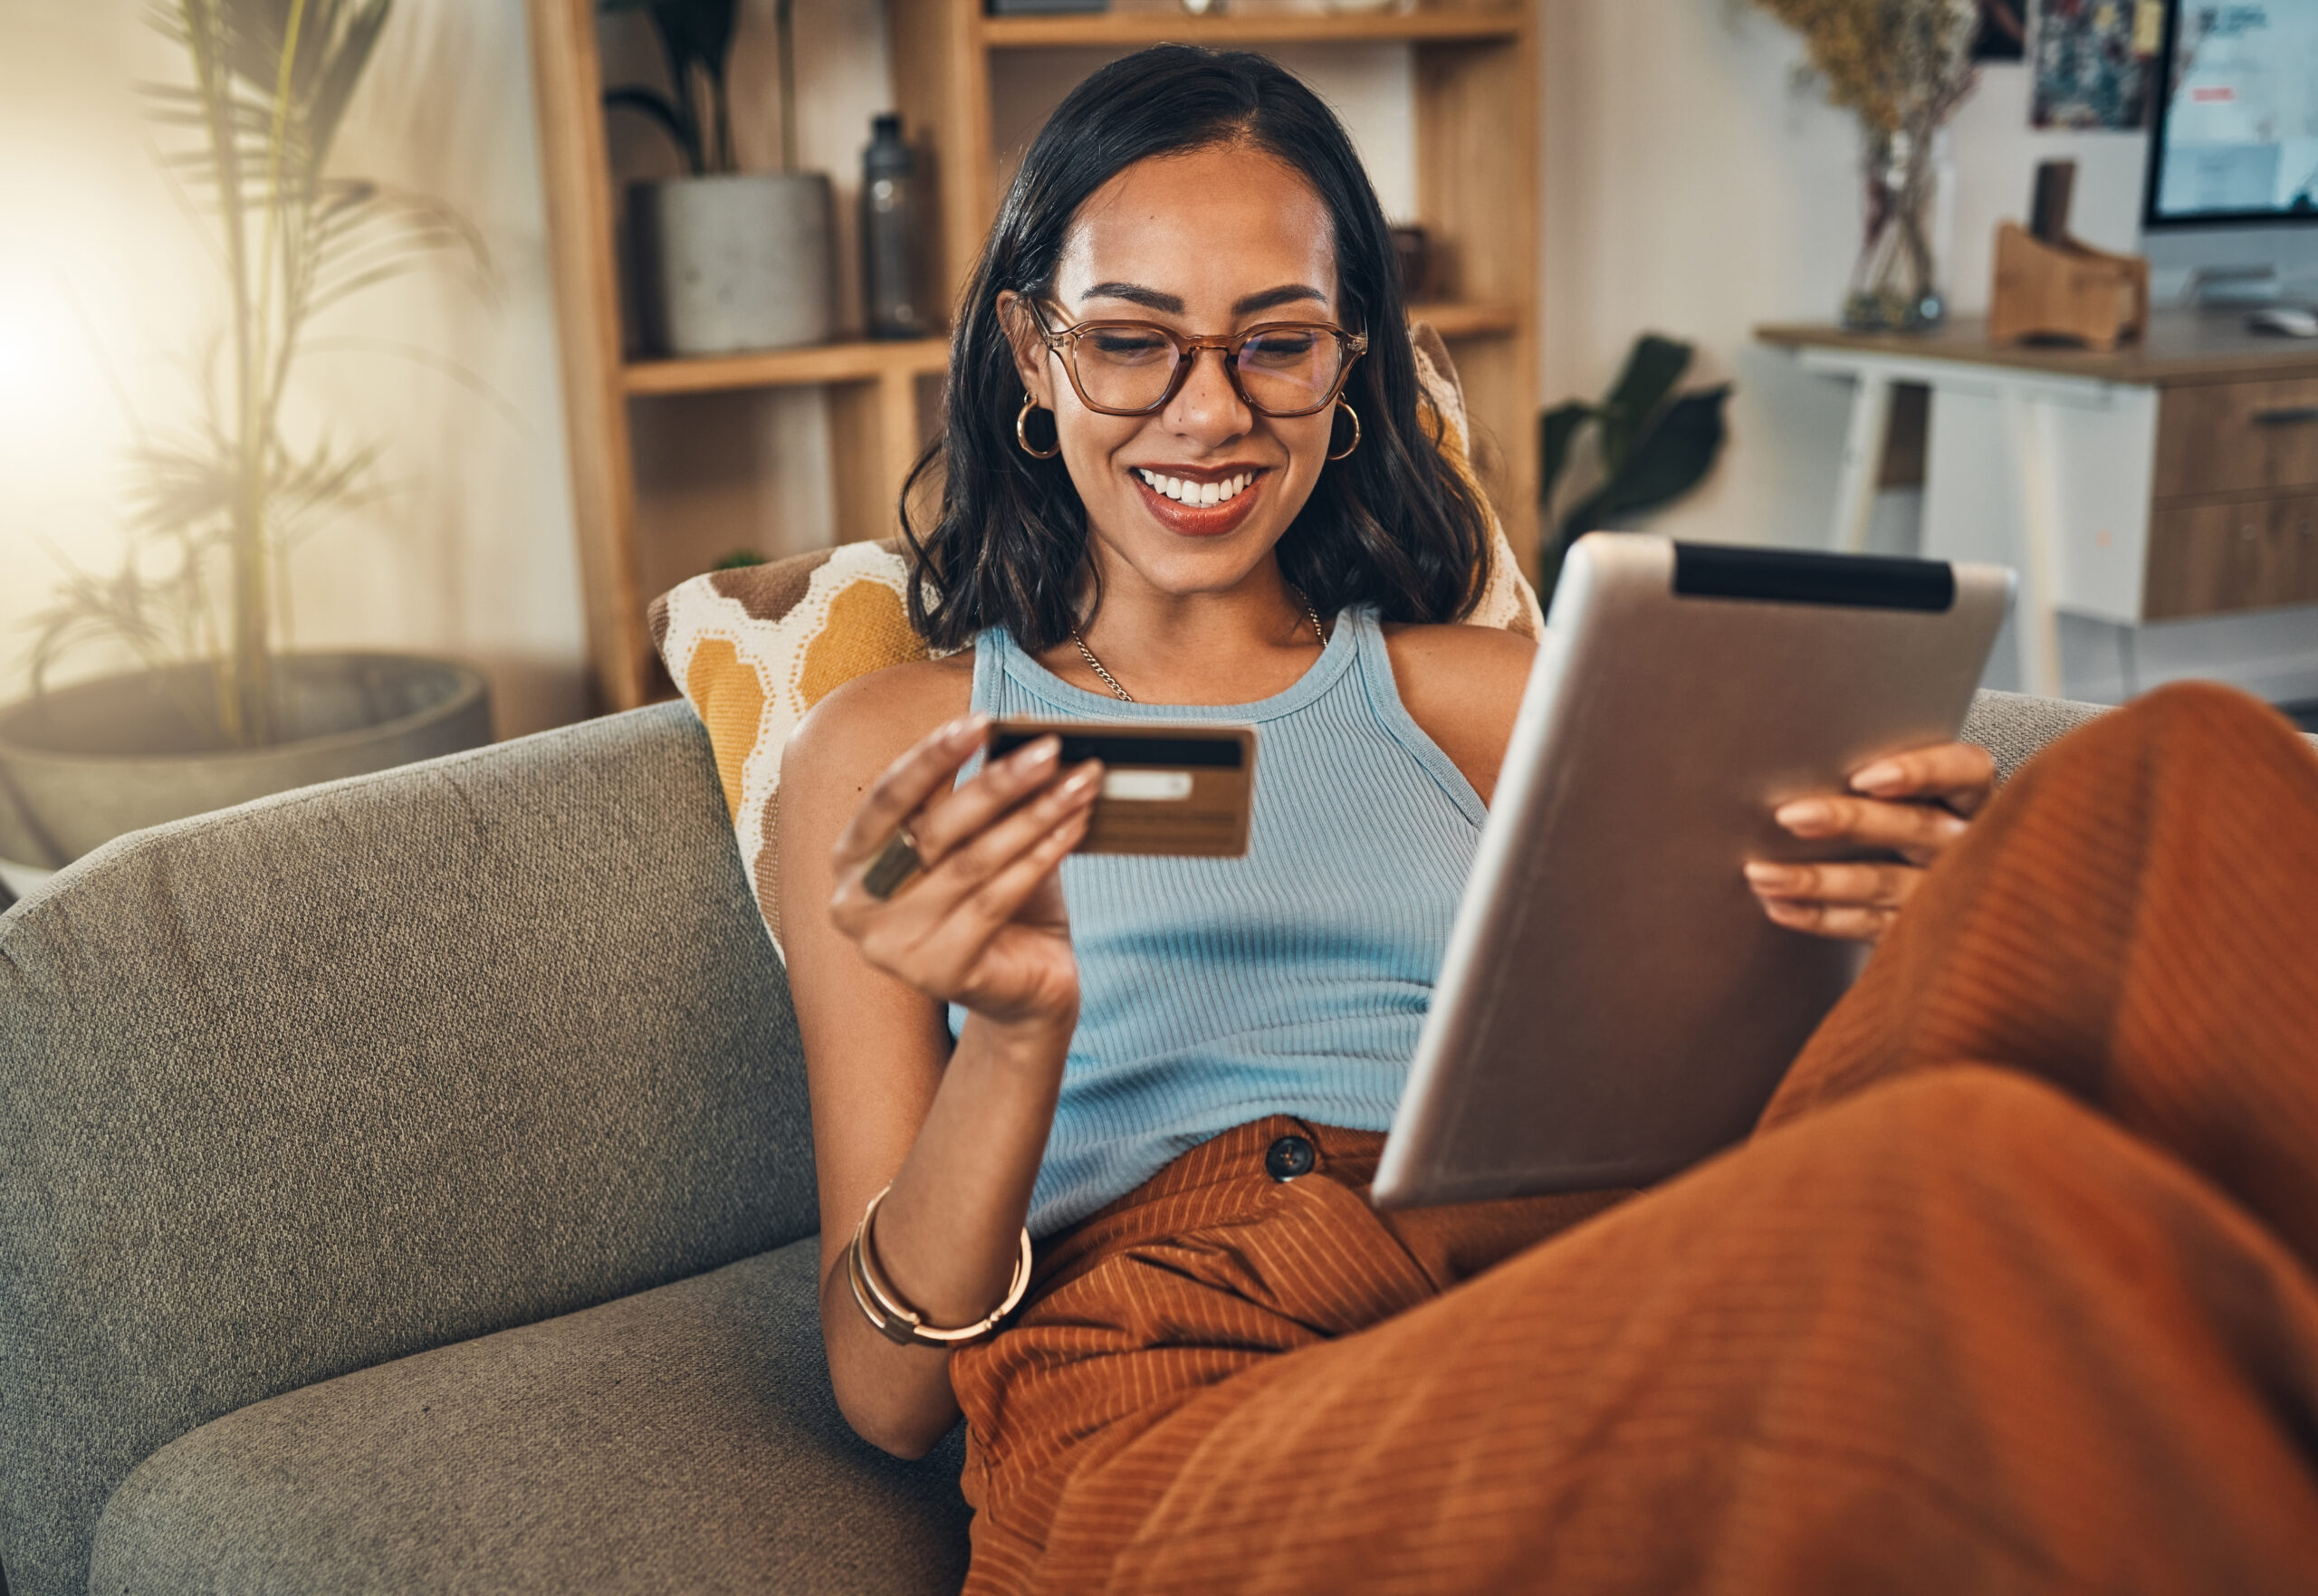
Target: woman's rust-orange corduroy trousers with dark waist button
(2013,1289)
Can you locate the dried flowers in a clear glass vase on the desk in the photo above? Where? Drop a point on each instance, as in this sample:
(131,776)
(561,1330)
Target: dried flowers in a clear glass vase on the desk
(1904,68)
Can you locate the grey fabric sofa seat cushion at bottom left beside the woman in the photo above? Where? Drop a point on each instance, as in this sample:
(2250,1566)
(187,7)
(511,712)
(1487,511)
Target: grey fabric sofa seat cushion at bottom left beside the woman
(683,1440)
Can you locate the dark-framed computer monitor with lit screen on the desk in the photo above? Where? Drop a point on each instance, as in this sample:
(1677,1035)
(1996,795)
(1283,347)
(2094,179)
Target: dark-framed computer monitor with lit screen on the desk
(2236,115)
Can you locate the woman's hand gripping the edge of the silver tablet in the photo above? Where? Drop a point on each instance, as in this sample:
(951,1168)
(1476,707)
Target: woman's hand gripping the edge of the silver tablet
(1914,805)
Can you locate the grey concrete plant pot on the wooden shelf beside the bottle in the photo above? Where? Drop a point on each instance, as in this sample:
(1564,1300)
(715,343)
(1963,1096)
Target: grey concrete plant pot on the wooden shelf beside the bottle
(734,263)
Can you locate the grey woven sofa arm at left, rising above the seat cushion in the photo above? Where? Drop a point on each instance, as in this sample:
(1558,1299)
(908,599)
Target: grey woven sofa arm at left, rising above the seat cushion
(367,1069)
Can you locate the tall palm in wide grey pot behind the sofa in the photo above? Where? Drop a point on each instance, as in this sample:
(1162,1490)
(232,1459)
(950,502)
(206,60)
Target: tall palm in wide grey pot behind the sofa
(221,712)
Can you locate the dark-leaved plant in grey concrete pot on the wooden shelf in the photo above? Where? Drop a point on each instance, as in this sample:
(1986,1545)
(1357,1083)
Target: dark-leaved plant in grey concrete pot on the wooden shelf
(724,258)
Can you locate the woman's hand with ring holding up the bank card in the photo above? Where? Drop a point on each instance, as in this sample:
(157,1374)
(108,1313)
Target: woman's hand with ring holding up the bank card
(982,923)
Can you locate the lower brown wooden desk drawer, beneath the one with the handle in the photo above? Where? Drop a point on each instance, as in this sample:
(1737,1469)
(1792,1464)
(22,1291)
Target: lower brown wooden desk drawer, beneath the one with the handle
(2213,559)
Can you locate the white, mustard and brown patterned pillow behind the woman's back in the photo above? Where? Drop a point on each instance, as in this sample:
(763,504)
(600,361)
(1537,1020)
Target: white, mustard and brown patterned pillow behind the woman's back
(759,647)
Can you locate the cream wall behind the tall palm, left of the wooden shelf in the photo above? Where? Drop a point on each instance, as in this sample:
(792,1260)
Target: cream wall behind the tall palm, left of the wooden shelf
(469,550)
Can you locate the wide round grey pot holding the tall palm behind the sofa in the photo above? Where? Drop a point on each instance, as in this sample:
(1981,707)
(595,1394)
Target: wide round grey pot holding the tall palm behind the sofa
(87,763)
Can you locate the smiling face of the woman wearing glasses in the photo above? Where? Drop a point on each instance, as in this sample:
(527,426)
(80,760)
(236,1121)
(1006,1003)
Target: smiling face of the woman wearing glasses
(1204,244)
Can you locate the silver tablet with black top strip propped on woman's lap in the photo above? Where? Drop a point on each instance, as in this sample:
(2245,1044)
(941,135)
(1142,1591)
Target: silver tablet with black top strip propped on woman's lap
(1614,1004)
